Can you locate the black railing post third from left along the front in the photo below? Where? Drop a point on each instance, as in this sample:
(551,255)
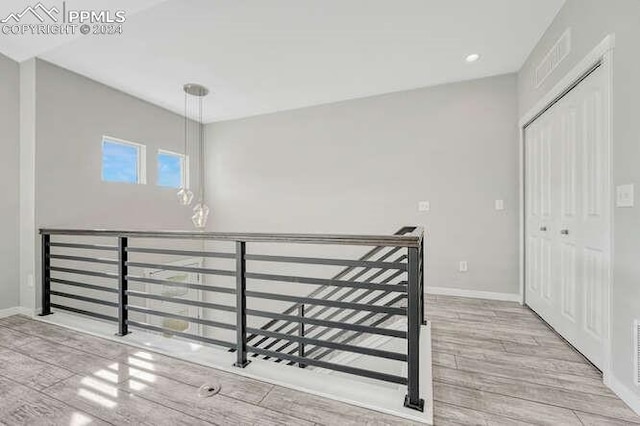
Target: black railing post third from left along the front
(241,304)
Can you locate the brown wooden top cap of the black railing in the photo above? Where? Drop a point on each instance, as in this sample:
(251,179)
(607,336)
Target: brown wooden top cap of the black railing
(412,239)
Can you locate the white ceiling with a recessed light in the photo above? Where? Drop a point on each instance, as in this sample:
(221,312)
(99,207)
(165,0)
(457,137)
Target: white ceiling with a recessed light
(263,56)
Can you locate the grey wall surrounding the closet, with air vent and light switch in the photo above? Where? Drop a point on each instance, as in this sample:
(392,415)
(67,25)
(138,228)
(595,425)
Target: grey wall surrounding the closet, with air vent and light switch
(591,21)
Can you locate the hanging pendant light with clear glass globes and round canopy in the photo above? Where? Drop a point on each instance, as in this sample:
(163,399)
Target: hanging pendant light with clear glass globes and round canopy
(194,148)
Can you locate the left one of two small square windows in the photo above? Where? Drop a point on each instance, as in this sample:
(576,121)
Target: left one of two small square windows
(123,161)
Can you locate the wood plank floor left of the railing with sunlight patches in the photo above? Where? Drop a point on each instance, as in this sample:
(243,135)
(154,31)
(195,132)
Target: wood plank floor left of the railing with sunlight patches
(50,375)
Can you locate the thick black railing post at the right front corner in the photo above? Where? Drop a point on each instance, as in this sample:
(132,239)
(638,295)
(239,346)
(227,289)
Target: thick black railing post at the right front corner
(414,320)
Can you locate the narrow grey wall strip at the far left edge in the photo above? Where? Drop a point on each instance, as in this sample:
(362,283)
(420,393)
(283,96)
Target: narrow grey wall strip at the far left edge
(9,176)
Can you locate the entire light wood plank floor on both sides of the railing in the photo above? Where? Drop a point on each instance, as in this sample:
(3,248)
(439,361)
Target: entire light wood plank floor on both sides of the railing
(495,364)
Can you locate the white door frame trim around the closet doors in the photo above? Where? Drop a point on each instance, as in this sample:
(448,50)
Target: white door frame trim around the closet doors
(603,54)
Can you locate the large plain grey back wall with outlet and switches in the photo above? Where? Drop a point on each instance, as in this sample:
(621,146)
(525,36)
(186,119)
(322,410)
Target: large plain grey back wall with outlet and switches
(361,166)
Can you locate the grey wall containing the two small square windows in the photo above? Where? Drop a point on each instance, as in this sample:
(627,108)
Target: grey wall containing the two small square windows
(72,114)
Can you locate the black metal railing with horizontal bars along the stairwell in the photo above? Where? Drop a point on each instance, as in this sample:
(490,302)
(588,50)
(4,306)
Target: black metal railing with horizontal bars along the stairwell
(360,300)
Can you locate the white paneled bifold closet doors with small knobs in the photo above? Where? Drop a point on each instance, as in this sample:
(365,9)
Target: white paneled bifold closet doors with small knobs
(568,216)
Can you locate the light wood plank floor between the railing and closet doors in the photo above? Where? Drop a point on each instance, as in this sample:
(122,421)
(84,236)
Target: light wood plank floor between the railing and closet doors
(496,363)
